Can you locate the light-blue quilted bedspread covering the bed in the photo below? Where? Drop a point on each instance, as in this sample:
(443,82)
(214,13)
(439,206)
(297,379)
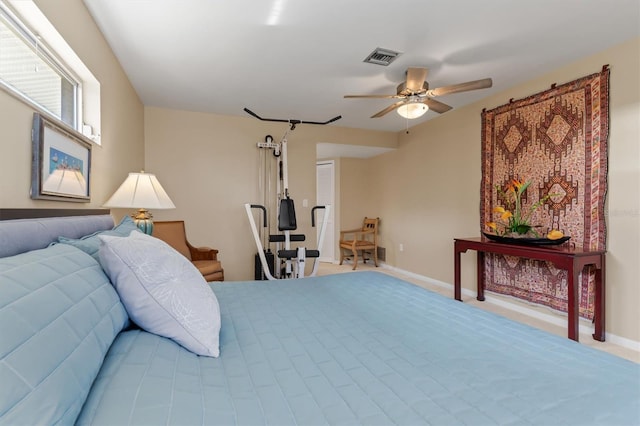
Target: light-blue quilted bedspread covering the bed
(362,348)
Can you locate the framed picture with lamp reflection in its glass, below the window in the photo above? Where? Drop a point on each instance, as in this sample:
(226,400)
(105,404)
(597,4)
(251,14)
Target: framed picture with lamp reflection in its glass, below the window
(61,162)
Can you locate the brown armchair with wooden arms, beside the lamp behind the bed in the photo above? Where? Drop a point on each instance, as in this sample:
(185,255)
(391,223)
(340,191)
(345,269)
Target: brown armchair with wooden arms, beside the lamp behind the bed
(204,258)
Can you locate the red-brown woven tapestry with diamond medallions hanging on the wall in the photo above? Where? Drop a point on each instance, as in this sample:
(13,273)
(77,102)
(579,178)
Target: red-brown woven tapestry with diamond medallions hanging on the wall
(557,139)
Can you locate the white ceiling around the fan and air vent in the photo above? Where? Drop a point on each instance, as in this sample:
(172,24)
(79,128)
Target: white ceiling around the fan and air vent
(295,59)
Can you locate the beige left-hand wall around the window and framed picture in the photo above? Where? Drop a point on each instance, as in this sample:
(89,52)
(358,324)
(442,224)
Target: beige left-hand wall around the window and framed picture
(122,147)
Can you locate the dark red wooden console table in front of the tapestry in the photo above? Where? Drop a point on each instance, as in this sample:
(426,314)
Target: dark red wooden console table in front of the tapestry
(572,260)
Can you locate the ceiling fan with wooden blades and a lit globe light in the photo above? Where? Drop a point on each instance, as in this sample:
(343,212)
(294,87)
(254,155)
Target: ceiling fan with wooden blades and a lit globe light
(417,98)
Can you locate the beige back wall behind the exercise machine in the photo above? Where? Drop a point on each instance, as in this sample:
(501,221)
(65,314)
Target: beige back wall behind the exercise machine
(208,164)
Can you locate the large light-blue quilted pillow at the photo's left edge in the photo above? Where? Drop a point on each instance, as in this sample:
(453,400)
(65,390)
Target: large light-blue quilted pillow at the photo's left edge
(60,315)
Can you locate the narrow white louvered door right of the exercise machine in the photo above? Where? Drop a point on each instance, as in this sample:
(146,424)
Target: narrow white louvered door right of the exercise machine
(325,195)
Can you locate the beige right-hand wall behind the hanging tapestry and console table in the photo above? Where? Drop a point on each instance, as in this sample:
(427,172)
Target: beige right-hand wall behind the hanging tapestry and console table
(428,190)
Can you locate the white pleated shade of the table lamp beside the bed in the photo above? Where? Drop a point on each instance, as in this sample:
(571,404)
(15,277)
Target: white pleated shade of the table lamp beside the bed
(140,191)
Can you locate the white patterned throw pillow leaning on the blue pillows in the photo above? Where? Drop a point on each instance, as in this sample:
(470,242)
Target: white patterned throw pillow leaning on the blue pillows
(162,291)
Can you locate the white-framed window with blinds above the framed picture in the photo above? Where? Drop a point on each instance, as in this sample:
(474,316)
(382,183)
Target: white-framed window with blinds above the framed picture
(38,67)
